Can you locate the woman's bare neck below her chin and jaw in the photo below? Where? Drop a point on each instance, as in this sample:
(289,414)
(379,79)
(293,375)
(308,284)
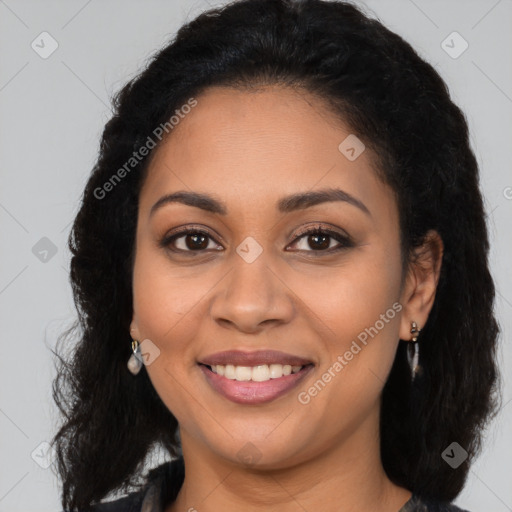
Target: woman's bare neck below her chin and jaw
(346,477)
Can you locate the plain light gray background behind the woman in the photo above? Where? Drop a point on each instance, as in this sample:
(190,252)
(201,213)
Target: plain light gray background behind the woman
(52,113)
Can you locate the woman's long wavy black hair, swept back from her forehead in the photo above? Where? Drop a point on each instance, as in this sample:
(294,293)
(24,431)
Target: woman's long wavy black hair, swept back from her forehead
(400,107)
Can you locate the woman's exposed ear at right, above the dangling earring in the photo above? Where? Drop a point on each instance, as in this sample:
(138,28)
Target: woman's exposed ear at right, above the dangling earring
(420,286)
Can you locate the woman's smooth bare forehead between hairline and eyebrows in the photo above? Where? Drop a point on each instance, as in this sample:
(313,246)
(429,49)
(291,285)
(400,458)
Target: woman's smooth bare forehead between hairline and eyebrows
(251,147)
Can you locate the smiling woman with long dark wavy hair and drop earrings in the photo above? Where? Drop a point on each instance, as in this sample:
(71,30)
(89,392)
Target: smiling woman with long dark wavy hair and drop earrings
(280,269)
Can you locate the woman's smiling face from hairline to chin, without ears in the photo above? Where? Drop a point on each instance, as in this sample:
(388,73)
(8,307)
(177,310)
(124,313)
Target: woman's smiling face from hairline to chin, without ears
(246,278)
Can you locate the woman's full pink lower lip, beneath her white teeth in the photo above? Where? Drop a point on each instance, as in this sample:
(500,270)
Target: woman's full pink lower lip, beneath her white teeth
(250,392)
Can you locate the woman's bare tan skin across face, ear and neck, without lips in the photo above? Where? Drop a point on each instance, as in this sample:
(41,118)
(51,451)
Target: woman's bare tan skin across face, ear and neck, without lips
(249,149)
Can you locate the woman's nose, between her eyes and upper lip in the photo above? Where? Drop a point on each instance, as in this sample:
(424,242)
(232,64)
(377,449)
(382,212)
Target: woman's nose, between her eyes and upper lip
(252,296)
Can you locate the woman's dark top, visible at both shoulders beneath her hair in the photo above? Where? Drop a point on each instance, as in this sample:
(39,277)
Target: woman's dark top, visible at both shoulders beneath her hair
(164,483)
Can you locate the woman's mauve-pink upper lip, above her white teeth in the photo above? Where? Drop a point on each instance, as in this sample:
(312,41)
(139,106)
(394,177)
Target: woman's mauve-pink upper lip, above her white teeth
(259,357)
